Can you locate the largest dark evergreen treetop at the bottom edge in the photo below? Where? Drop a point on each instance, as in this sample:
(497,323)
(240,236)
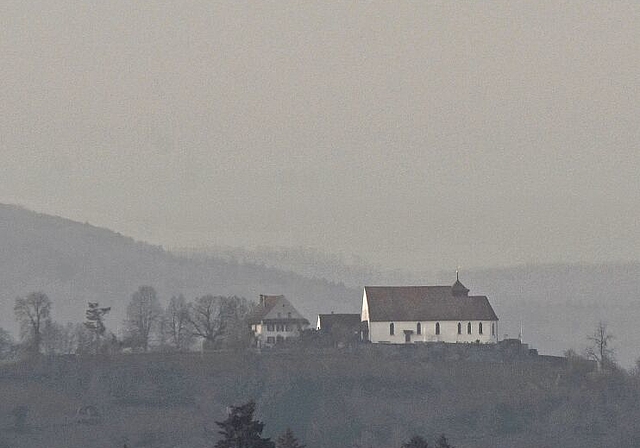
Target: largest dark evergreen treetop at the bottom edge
(240,430)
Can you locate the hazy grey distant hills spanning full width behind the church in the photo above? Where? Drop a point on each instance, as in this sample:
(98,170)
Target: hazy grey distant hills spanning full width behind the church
(558,305)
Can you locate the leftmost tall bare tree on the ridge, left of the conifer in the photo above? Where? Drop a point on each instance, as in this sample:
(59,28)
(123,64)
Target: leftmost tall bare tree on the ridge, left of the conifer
(32,313)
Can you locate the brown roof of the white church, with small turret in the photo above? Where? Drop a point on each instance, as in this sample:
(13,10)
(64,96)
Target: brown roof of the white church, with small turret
(425,303)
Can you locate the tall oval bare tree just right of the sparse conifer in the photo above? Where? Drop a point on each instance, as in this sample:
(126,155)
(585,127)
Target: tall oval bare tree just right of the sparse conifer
(143,314)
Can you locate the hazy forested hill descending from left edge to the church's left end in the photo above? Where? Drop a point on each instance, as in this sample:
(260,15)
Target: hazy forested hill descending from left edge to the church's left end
(75,263)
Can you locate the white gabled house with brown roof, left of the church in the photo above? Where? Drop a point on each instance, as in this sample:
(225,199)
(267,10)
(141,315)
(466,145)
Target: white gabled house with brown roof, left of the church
(275,320)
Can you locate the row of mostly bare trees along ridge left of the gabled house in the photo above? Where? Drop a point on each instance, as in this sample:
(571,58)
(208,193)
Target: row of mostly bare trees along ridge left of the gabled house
(216,322)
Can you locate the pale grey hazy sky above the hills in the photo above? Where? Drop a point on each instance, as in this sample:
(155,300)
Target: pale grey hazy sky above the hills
(417,134)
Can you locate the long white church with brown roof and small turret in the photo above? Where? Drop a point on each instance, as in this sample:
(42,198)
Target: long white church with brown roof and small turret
(410,314)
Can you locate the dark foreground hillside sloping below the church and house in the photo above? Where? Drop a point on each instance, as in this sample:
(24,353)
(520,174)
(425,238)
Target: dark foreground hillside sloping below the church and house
(373,397)
